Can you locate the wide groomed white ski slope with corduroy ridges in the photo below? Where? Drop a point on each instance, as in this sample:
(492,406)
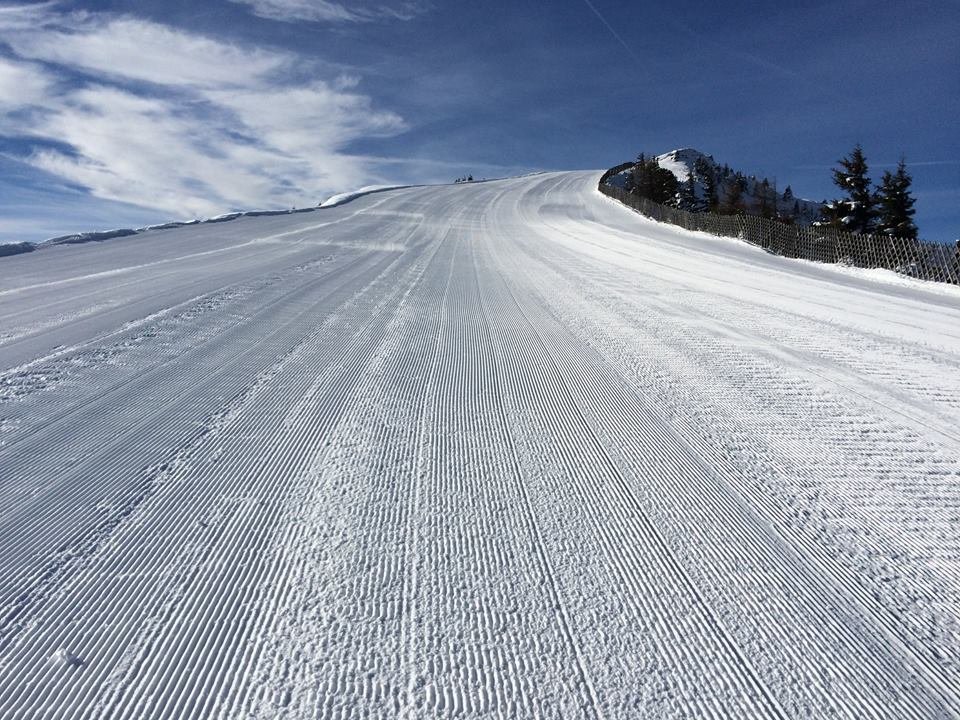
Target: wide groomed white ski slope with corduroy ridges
(493,450)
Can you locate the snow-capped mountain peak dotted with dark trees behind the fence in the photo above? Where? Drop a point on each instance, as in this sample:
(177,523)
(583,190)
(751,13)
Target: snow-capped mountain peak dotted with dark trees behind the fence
(758,195)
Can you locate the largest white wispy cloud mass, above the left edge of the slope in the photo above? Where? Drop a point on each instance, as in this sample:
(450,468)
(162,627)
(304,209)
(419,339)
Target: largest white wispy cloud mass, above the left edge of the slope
(144,113)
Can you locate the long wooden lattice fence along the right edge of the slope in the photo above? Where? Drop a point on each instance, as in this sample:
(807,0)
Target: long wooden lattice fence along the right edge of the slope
(924,260)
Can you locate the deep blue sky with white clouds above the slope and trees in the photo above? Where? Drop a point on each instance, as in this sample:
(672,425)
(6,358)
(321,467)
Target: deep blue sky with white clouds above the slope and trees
(117,113)
